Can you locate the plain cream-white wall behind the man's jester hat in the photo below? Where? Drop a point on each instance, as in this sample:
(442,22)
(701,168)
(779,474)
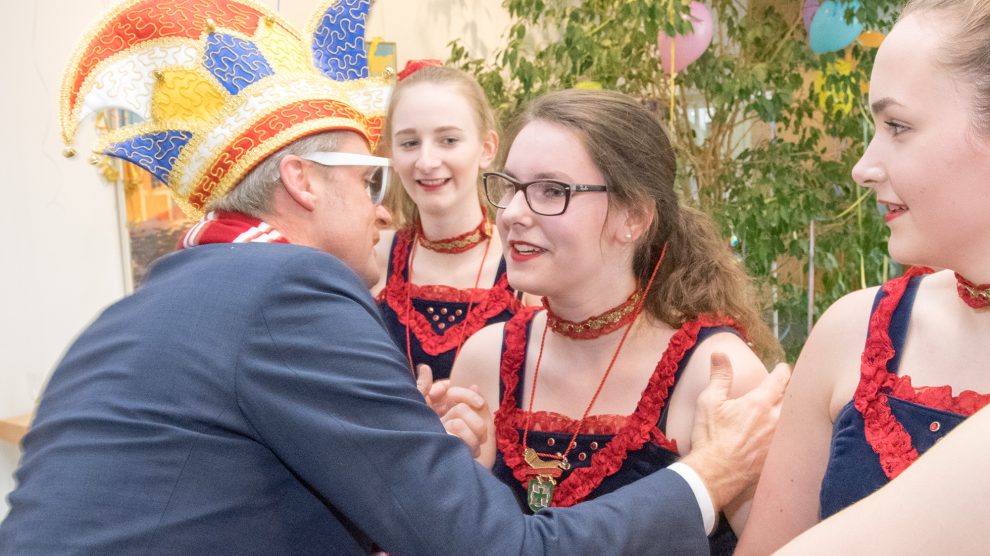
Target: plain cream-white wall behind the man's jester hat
(61,262)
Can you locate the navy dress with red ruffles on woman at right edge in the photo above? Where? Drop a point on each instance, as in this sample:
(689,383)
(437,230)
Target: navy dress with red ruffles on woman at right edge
(901,418)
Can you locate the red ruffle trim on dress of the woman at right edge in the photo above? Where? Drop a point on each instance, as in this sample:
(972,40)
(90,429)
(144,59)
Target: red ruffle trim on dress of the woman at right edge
(888,437)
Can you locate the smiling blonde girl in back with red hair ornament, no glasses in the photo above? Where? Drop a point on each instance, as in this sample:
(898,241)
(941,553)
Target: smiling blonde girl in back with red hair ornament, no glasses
(443,274)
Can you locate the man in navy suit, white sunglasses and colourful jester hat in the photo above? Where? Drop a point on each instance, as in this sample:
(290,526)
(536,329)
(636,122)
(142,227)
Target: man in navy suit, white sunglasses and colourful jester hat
(247,399)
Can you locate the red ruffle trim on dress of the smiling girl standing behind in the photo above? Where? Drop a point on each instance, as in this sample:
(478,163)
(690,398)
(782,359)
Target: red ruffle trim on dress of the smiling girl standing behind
(397,293)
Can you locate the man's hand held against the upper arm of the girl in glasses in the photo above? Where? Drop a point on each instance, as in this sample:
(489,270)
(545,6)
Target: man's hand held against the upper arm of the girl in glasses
(731,437)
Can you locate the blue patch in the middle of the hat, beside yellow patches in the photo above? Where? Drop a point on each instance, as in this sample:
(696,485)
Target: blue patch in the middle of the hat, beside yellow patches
(234,62)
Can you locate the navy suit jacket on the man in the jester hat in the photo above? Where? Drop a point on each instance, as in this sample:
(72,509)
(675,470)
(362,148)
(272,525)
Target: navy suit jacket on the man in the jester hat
(248,400)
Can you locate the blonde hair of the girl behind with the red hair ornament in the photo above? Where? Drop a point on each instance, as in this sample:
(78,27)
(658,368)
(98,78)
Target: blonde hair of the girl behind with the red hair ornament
(397,201)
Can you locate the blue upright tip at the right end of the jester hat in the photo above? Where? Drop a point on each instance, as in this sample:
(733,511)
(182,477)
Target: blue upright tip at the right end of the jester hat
(338,40)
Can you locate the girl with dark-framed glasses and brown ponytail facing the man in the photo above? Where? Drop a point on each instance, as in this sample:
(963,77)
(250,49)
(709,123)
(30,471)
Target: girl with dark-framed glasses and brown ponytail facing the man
(597,387)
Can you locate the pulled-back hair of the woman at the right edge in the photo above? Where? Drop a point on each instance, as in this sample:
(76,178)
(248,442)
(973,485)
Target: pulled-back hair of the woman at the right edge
(966,47)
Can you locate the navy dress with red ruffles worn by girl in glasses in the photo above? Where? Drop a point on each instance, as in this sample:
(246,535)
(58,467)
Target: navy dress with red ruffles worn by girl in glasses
(598,465)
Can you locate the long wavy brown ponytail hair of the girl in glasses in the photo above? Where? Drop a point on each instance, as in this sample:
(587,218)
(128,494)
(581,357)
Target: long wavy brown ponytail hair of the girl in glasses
(699,274)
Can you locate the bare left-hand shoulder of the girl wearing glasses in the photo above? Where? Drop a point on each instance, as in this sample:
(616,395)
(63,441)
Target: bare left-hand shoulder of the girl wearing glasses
(478,362)
